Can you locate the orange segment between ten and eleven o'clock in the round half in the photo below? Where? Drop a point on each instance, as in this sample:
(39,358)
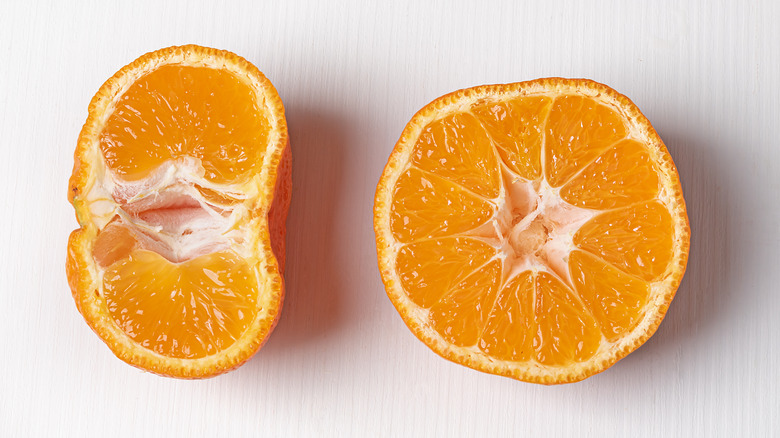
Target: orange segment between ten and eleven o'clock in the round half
(458,149)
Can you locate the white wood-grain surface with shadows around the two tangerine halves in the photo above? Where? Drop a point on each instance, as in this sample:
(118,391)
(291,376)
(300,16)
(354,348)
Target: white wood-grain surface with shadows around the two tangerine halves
(341,362)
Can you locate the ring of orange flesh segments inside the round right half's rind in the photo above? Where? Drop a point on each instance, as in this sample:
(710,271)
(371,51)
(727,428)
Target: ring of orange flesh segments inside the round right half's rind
(452,188)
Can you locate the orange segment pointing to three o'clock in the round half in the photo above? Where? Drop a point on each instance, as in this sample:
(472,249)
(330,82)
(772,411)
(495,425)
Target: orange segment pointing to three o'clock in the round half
(637,239)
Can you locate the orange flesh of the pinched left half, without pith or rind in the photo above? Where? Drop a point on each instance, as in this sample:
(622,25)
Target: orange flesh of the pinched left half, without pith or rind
(196,307)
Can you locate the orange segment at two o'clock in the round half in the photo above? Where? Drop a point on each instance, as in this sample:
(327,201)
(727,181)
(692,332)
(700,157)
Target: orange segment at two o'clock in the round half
(621,176)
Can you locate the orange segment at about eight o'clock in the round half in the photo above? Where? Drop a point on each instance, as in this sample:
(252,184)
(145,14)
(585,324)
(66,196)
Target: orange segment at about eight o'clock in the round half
(430,268)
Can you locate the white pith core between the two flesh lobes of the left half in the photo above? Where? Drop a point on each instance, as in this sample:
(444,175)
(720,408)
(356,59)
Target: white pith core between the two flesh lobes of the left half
(166,212)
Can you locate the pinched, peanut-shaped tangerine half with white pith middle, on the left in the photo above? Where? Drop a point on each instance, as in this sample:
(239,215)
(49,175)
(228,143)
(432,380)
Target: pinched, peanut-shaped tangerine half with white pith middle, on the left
(181,186)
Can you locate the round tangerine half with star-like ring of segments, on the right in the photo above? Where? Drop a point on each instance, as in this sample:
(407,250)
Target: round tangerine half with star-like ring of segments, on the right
(534,230)
